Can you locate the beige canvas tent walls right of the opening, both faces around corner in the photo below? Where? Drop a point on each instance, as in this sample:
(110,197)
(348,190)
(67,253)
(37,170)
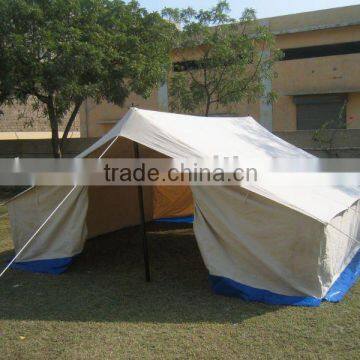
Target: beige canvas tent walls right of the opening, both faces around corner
(260,250)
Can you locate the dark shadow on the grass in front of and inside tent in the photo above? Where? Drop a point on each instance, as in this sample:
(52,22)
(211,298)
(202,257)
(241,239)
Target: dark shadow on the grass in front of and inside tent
(106,283)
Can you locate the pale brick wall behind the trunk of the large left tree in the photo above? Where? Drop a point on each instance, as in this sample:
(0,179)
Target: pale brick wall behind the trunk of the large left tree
(23,118)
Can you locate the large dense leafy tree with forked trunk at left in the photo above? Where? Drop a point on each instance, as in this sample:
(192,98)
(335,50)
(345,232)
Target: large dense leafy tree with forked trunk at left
(60,52)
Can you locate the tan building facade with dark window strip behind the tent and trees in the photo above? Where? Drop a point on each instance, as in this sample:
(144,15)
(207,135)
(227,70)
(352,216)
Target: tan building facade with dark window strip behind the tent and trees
(317,82)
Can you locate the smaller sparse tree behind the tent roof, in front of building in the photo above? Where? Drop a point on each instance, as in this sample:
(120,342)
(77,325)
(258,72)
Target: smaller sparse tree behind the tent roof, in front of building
(233,58)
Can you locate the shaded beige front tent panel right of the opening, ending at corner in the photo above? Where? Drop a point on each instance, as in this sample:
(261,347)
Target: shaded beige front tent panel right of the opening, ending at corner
(250,241)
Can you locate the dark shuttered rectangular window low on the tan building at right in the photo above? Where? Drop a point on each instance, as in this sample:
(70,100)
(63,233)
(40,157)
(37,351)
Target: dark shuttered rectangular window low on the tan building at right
(321,111)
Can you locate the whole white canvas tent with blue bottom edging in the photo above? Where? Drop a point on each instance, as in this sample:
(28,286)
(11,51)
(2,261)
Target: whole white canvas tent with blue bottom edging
(282,245)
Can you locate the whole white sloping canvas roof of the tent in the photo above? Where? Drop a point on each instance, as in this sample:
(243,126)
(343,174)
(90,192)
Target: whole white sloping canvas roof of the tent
(186,136)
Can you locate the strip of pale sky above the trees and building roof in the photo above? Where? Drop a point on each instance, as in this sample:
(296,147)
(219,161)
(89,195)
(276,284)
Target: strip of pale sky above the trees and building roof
(264,8)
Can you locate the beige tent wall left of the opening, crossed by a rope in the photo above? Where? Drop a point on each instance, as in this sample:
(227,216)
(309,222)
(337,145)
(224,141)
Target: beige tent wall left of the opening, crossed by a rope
(60,239)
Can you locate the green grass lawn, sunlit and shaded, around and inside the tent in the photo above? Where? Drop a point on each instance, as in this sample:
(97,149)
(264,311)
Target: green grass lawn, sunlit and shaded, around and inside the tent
(102,309)
